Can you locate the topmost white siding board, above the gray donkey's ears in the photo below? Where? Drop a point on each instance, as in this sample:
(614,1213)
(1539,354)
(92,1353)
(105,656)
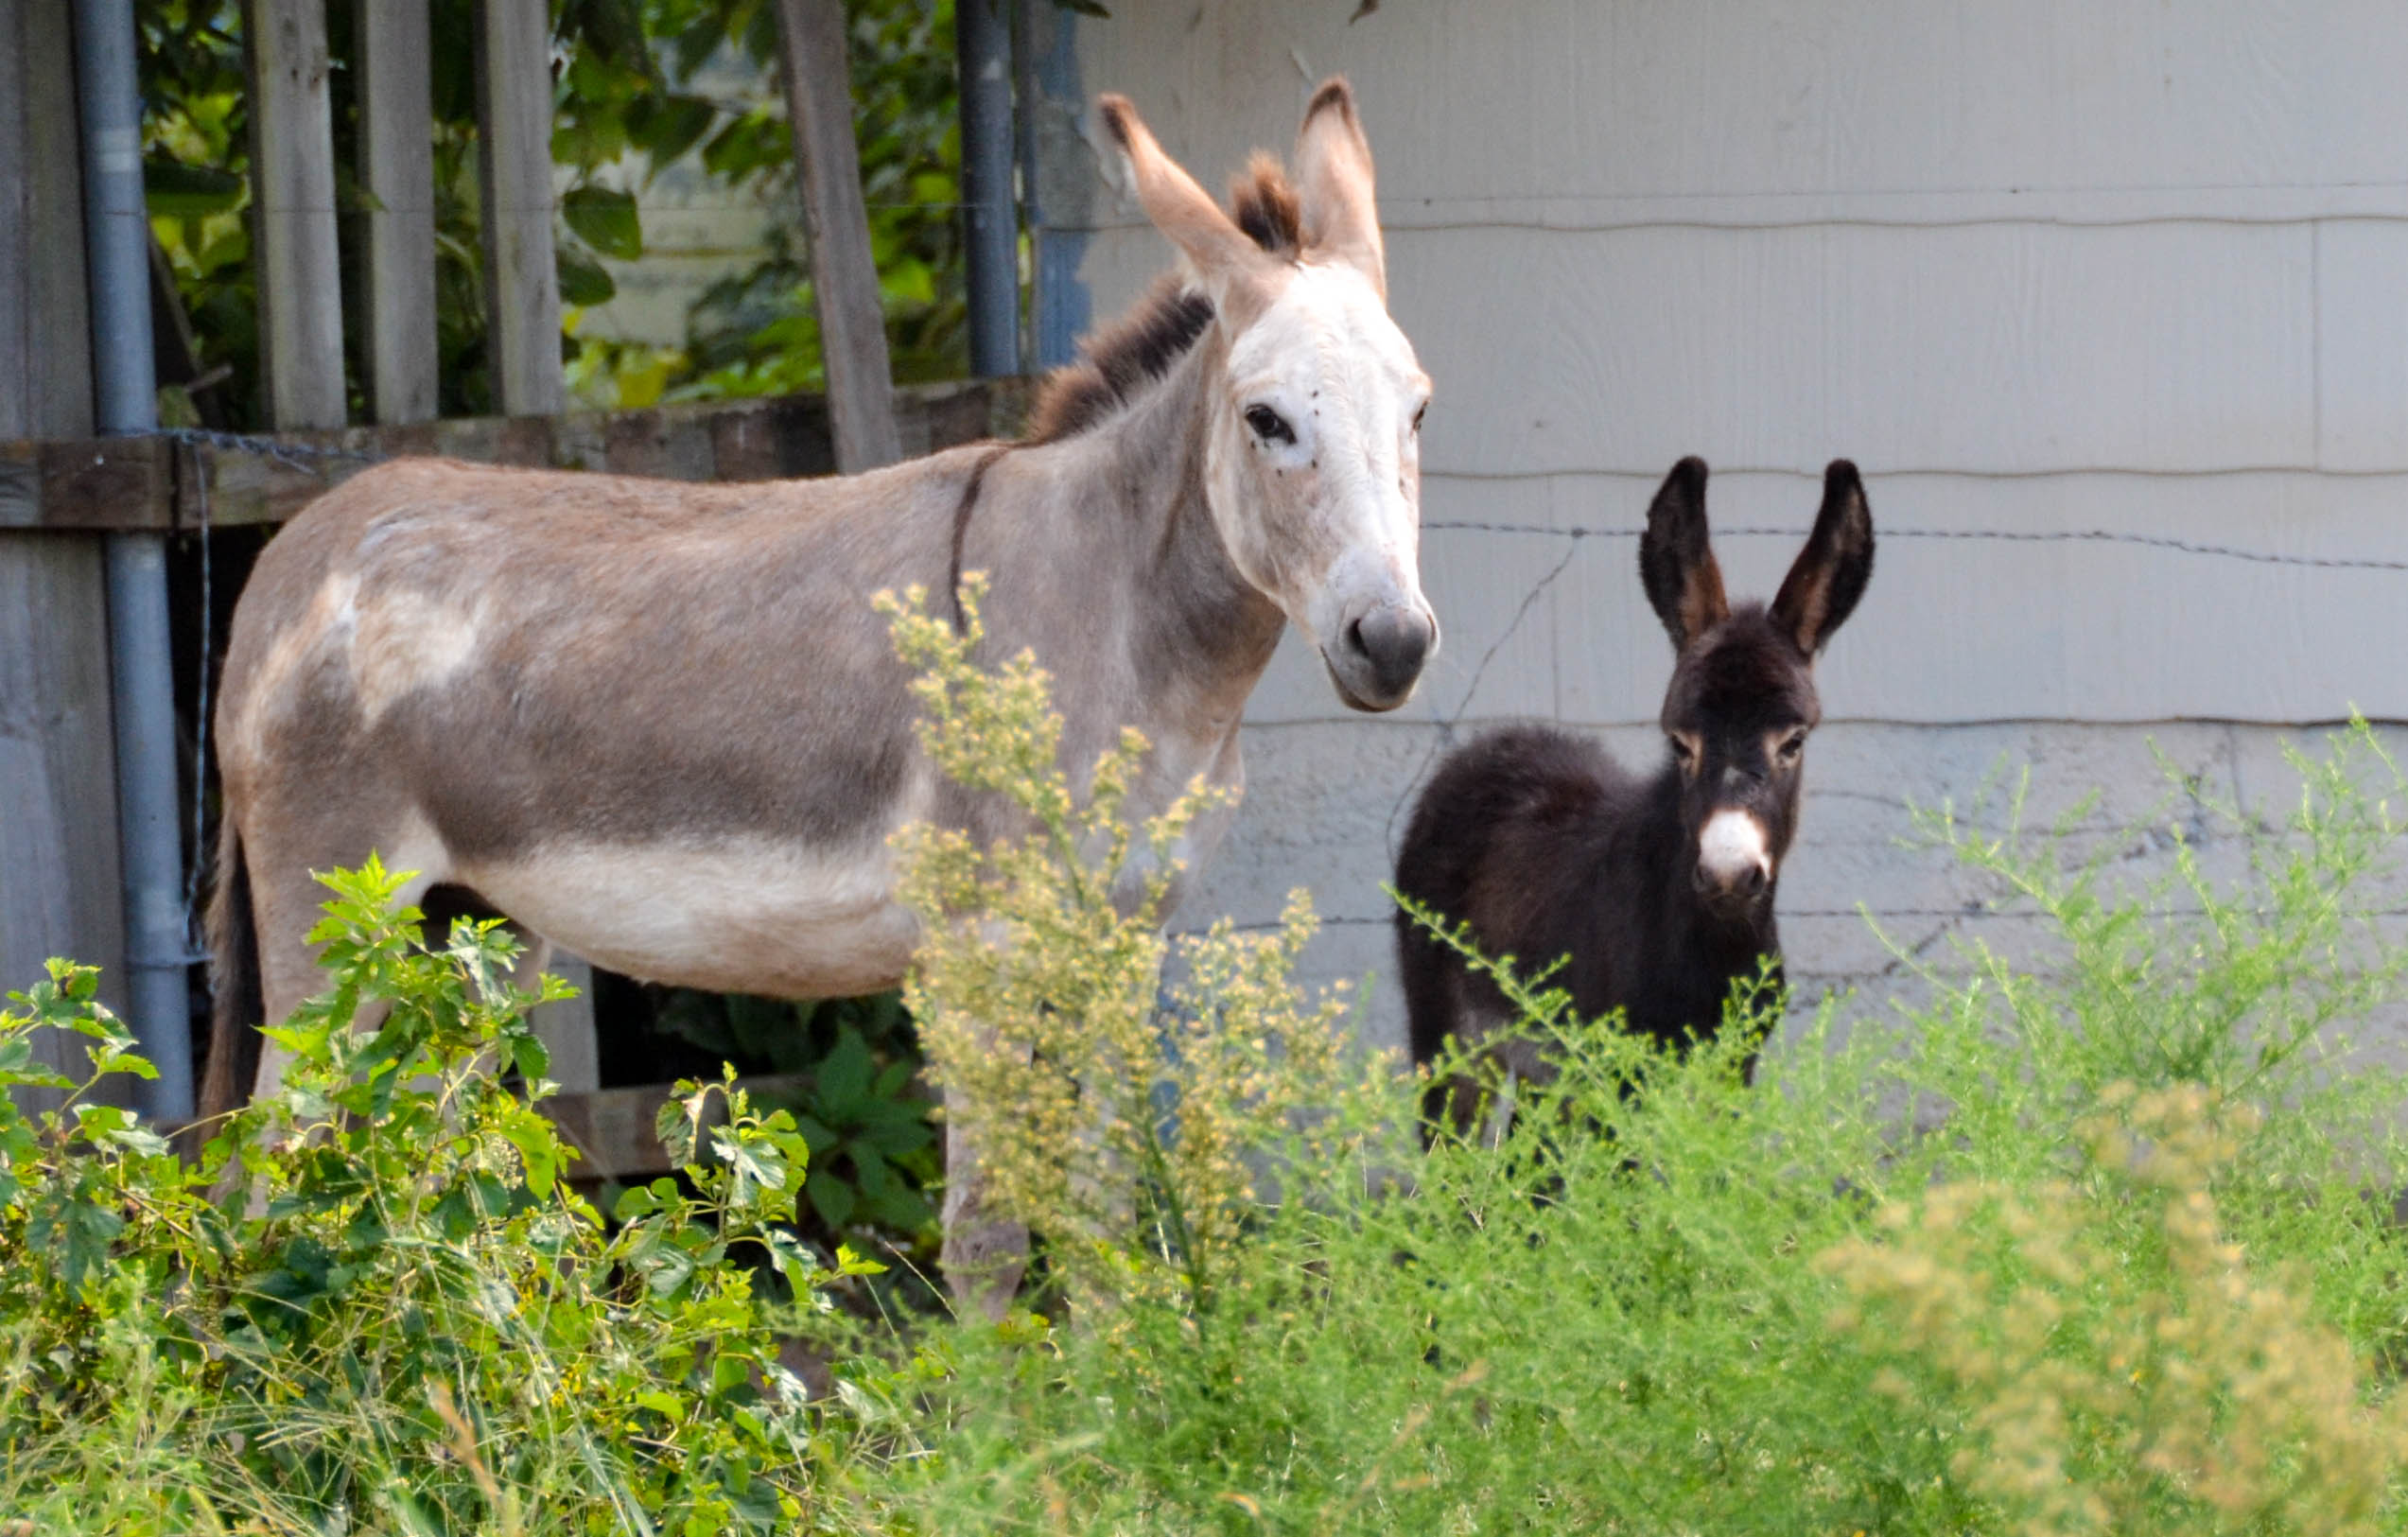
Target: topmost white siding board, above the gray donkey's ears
(1574,98)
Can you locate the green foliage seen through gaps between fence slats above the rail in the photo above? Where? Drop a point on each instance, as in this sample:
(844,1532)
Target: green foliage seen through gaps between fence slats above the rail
(622,112)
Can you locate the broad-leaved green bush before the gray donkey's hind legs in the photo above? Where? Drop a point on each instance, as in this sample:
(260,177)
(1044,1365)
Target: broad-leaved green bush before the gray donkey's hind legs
(425,1331)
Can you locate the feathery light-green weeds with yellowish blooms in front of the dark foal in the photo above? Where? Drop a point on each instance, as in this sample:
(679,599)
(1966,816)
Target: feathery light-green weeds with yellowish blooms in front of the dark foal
(2058,1249)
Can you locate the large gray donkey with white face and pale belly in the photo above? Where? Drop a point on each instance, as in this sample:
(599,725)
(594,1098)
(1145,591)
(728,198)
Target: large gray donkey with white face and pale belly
(661,724)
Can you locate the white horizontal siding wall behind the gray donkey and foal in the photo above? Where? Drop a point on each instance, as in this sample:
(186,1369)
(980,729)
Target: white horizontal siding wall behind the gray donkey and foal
(2036,266)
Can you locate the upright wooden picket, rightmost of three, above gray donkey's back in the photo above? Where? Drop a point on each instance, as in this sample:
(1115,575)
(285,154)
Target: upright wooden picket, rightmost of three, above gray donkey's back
(524,290)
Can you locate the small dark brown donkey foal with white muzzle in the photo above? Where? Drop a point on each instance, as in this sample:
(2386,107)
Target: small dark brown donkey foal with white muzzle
(1655,888)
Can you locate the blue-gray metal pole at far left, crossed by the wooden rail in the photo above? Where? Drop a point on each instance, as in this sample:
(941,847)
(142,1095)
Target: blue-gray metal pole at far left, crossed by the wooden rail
(143,685)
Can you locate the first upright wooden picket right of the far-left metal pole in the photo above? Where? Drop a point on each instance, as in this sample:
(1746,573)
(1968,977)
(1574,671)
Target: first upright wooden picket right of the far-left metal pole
(293,208)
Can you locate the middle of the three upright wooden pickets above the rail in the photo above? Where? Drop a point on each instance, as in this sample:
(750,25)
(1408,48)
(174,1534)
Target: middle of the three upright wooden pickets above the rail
(399,172)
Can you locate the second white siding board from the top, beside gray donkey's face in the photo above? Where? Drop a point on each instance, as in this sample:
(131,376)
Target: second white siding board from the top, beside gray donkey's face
(1997,348)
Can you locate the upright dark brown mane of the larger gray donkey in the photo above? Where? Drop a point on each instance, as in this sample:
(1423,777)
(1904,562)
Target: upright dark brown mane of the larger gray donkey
(1119,363)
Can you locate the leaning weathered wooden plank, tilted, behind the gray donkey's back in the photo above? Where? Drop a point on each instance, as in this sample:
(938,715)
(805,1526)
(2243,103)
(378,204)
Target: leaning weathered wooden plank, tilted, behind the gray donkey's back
(844,276)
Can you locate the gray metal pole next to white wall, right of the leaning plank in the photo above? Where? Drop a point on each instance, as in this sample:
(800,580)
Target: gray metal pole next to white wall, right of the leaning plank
(993,235)
